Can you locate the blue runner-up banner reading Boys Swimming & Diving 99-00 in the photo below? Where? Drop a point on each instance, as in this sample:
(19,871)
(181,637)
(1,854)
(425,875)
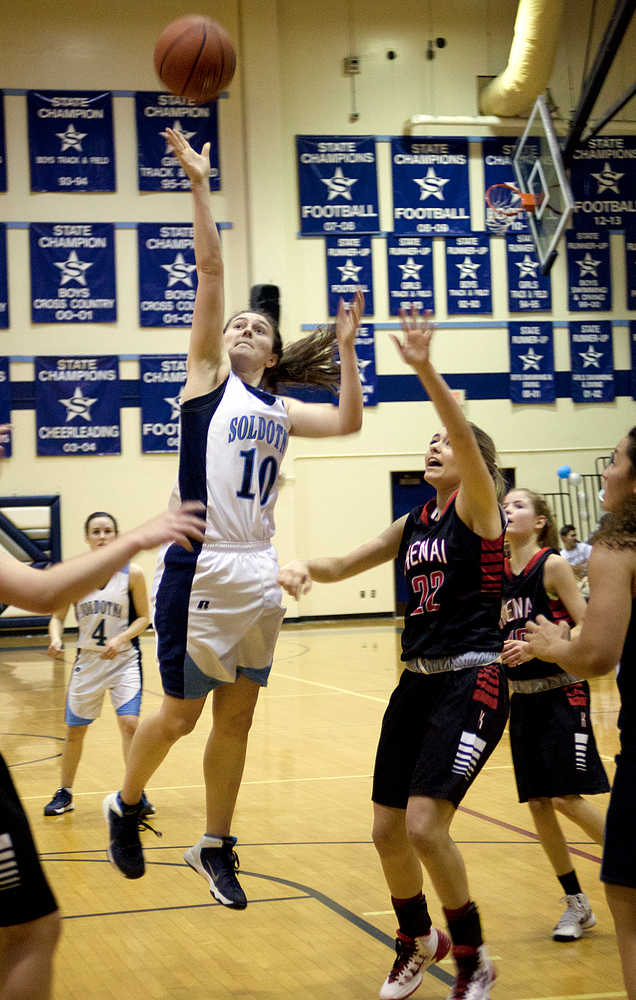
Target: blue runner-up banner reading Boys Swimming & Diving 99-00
(589,271)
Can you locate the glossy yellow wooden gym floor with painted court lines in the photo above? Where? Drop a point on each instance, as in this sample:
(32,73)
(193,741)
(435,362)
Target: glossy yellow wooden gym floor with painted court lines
(319,922)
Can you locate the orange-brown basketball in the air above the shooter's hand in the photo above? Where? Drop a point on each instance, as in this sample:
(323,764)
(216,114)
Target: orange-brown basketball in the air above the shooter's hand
(195,58)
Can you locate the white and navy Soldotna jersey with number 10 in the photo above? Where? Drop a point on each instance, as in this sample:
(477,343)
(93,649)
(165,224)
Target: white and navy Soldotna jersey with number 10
(233,441)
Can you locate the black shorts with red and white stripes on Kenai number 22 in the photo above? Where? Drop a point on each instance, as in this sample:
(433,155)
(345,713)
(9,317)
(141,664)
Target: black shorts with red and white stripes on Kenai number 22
(438,732)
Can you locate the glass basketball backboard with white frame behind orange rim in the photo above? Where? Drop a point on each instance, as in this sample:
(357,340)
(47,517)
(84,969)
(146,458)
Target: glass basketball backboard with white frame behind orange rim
(539,171)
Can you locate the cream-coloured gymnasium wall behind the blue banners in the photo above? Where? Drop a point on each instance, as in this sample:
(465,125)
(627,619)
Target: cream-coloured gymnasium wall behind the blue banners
(336,492)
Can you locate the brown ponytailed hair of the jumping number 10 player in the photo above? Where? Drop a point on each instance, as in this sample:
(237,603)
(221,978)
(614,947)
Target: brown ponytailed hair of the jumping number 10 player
(311,361)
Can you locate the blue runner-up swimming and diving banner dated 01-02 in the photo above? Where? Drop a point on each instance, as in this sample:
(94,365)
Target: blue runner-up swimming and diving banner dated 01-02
(592,362)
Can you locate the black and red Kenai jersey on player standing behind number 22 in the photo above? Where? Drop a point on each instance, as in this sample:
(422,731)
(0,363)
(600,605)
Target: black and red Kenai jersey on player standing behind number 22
(524,598)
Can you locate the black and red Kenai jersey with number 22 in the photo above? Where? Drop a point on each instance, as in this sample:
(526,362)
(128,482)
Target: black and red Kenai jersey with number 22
(454,580)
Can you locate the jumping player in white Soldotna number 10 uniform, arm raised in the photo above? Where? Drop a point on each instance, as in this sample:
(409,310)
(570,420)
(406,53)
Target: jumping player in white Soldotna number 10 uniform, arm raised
(218,612)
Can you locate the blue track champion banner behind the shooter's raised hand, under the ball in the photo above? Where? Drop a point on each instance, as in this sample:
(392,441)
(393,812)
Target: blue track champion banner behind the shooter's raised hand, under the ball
(158,169)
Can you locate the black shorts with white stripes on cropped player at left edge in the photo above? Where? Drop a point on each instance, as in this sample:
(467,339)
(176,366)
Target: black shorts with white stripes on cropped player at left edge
(25,893)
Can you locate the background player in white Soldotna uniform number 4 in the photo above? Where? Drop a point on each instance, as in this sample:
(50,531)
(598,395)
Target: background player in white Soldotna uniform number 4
(108,658)
